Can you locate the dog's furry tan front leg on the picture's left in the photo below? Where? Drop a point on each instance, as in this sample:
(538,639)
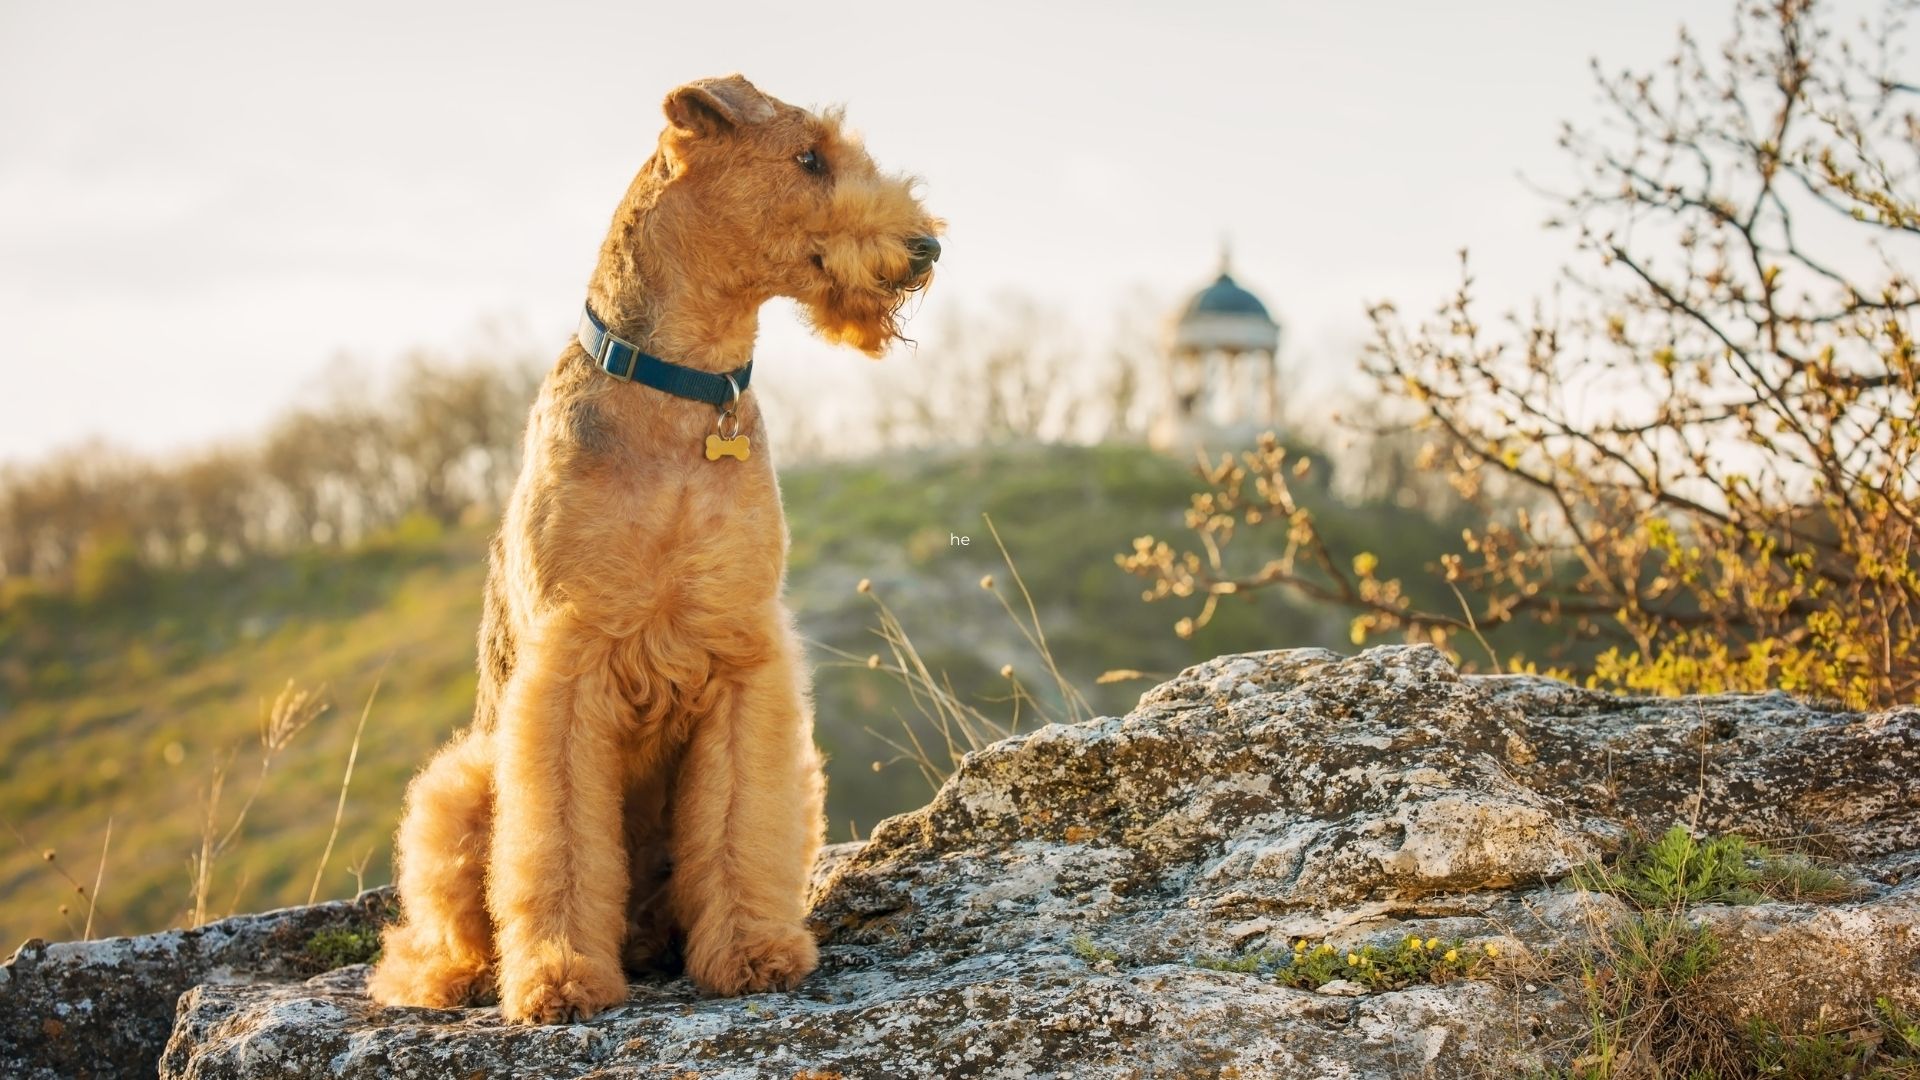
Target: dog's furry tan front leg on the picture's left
(558,883)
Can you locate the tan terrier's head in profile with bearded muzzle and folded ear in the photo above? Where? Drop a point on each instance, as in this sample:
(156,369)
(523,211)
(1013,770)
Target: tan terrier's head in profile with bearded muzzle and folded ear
(782,201)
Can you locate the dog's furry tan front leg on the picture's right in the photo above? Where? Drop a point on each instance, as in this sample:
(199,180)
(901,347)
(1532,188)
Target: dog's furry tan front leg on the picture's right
(746,831)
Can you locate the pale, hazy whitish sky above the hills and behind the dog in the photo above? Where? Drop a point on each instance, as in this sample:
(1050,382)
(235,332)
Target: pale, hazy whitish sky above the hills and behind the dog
(208,210)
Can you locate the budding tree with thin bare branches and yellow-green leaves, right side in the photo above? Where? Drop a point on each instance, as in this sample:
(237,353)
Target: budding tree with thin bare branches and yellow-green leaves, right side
(1708,468)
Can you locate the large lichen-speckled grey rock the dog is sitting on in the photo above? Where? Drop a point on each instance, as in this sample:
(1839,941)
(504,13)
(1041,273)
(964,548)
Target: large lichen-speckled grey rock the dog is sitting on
(1065,904)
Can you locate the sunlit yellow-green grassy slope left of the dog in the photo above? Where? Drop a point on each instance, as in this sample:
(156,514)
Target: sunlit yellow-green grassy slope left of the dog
(139,714)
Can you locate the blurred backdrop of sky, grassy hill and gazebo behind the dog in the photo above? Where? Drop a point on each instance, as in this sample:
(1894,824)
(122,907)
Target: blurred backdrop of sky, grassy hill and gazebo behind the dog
(279,283)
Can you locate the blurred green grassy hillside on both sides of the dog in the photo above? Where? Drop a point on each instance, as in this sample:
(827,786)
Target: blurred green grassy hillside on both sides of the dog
(122,706)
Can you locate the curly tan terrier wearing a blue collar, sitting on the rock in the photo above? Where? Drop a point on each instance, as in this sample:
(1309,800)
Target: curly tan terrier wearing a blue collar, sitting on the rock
(640,775)
